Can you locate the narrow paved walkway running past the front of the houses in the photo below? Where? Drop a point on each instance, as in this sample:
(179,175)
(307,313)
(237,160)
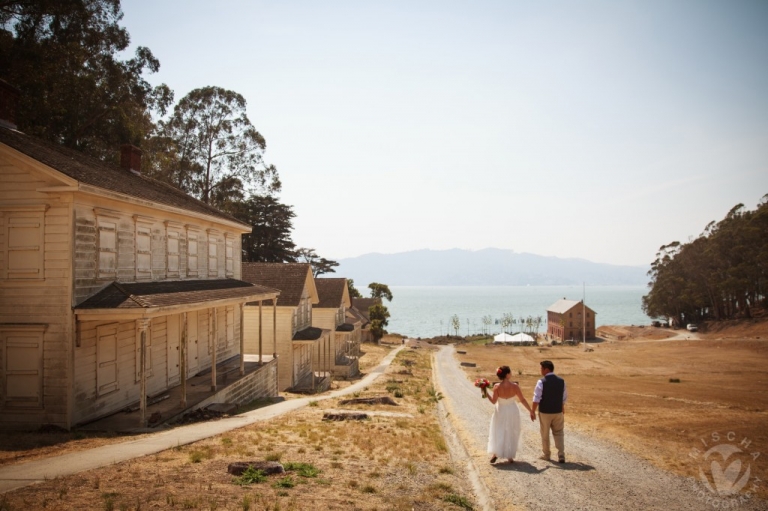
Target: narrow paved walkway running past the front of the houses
(23,474)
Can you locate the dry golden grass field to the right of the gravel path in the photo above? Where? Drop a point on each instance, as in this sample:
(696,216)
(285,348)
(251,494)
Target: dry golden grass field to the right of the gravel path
(662,400)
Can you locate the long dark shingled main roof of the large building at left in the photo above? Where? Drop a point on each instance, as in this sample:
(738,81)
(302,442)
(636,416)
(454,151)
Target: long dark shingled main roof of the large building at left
(90,171)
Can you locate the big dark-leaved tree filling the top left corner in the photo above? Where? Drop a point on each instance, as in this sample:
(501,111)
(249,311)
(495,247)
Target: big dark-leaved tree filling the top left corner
(63,56)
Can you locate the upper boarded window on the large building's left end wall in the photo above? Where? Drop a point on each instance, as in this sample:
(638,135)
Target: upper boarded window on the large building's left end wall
(24,238)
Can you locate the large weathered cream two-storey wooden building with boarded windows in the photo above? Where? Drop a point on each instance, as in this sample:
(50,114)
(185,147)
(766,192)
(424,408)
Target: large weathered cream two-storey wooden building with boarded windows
(113,286)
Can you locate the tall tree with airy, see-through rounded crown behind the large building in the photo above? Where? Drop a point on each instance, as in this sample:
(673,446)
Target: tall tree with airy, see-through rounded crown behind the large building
(216,148)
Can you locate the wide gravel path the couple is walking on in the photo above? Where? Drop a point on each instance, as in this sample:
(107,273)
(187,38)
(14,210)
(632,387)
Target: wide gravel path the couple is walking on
(597,476)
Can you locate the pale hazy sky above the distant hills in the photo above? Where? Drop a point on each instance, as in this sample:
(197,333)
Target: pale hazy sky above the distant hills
(593,129)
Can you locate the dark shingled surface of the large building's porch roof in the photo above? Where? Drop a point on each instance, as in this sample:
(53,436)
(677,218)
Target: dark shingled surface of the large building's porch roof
(148,295)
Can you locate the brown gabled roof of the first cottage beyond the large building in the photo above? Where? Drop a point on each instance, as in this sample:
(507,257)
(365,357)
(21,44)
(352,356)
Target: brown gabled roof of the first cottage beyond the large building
(289,278)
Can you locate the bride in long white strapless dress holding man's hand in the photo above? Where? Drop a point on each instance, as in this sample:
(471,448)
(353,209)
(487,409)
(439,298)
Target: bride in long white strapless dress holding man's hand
(504,434)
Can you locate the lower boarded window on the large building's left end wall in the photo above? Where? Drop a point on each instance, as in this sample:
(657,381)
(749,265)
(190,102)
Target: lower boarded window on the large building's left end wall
(22,367)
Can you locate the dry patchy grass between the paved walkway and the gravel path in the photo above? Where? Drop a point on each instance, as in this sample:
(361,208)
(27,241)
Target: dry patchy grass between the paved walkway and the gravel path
(396,459)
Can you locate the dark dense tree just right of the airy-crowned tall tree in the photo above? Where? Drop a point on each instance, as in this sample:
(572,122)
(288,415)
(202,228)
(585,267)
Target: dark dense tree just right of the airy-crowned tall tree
(270,241)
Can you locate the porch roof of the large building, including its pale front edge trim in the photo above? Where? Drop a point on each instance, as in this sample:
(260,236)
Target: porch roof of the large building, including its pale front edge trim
(150,299)
